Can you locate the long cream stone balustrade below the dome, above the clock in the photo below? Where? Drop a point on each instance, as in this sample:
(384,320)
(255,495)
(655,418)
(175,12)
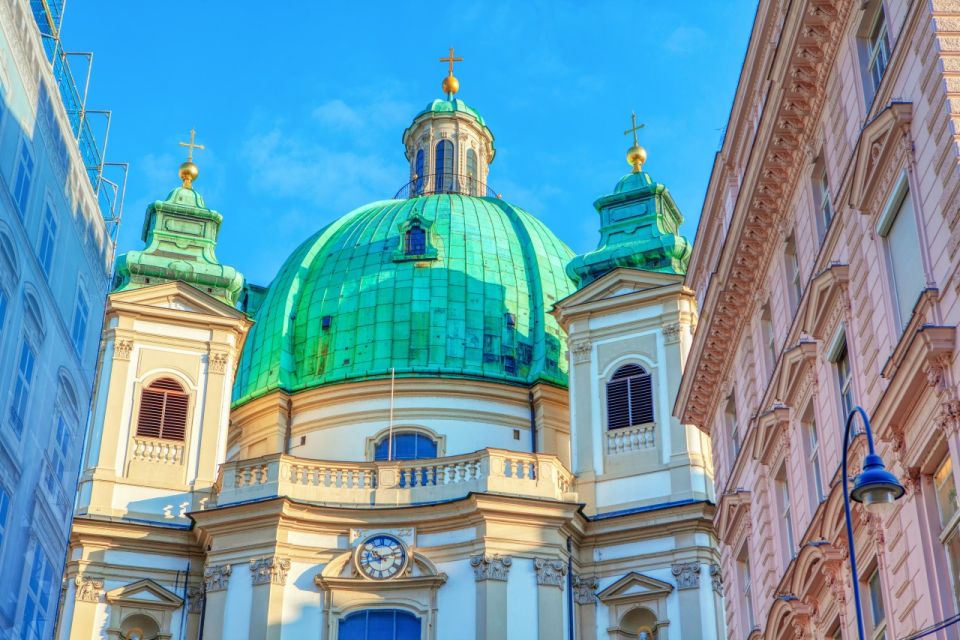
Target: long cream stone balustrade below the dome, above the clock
(385,484)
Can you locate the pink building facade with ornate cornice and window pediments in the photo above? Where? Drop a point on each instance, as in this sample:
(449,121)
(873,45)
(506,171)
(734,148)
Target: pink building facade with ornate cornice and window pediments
(826,274)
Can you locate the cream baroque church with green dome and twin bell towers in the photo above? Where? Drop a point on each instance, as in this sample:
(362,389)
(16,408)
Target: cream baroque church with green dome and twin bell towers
(437,422)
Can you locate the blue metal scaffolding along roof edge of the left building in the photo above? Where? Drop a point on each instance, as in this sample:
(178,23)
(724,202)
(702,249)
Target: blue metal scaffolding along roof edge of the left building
(109,190)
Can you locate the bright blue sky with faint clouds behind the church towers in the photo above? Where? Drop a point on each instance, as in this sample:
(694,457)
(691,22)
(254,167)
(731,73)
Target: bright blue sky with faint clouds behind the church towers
(301,109)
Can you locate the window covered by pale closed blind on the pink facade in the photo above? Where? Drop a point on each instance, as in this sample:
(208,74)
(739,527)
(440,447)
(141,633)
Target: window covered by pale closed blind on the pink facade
(898,228)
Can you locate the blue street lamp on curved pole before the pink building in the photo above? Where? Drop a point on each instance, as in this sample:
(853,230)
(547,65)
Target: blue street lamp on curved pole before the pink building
(875,488)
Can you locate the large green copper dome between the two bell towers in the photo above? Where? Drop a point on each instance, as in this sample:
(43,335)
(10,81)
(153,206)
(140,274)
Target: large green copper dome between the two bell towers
(443,285)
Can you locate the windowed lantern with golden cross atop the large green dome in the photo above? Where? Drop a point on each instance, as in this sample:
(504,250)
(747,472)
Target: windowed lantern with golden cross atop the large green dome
(448,145)
